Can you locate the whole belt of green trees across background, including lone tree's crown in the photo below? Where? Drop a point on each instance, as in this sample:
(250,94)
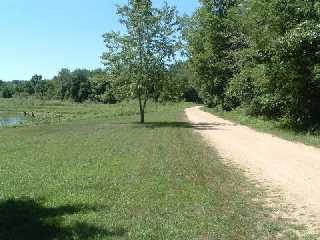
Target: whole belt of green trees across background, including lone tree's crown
(260,55)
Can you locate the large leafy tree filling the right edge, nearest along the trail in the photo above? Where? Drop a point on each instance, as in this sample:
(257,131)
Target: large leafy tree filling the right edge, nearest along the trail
(284,36)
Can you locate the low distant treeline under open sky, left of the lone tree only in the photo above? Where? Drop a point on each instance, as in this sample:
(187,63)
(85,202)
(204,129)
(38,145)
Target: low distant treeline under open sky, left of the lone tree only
(79,86)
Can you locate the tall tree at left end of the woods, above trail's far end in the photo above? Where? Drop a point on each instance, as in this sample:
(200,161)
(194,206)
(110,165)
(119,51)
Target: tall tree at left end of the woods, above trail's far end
(212,36)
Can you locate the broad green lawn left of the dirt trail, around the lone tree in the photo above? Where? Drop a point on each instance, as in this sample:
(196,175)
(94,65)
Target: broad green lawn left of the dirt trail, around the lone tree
(97,174)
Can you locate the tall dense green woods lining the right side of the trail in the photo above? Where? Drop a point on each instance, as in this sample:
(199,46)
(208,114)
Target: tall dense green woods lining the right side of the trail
(263,55)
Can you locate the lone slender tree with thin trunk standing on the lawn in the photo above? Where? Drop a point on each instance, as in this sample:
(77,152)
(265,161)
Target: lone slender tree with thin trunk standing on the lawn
(138,58)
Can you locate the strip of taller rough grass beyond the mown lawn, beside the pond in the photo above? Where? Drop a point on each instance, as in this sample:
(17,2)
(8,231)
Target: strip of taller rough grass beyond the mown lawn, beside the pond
(57,111)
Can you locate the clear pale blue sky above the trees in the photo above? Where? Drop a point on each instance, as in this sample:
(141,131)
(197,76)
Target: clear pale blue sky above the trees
(43,36)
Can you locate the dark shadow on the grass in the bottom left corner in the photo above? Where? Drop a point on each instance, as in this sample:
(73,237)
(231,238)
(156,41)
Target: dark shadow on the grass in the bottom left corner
(24,219)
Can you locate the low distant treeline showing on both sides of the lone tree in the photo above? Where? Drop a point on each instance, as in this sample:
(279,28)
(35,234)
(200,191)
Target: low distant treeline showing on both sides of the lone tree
(97,86)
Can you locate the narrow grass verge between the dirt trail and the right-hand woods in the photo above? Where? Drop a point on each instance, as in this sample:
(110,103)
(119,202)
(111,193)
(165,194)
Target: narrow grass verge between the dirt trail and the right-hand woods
(269,126)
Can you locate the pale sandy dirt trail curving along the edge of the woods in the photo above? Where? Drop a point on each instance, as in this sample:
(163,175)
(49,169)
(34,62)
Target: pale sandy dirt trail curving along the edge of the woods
(292,168)
